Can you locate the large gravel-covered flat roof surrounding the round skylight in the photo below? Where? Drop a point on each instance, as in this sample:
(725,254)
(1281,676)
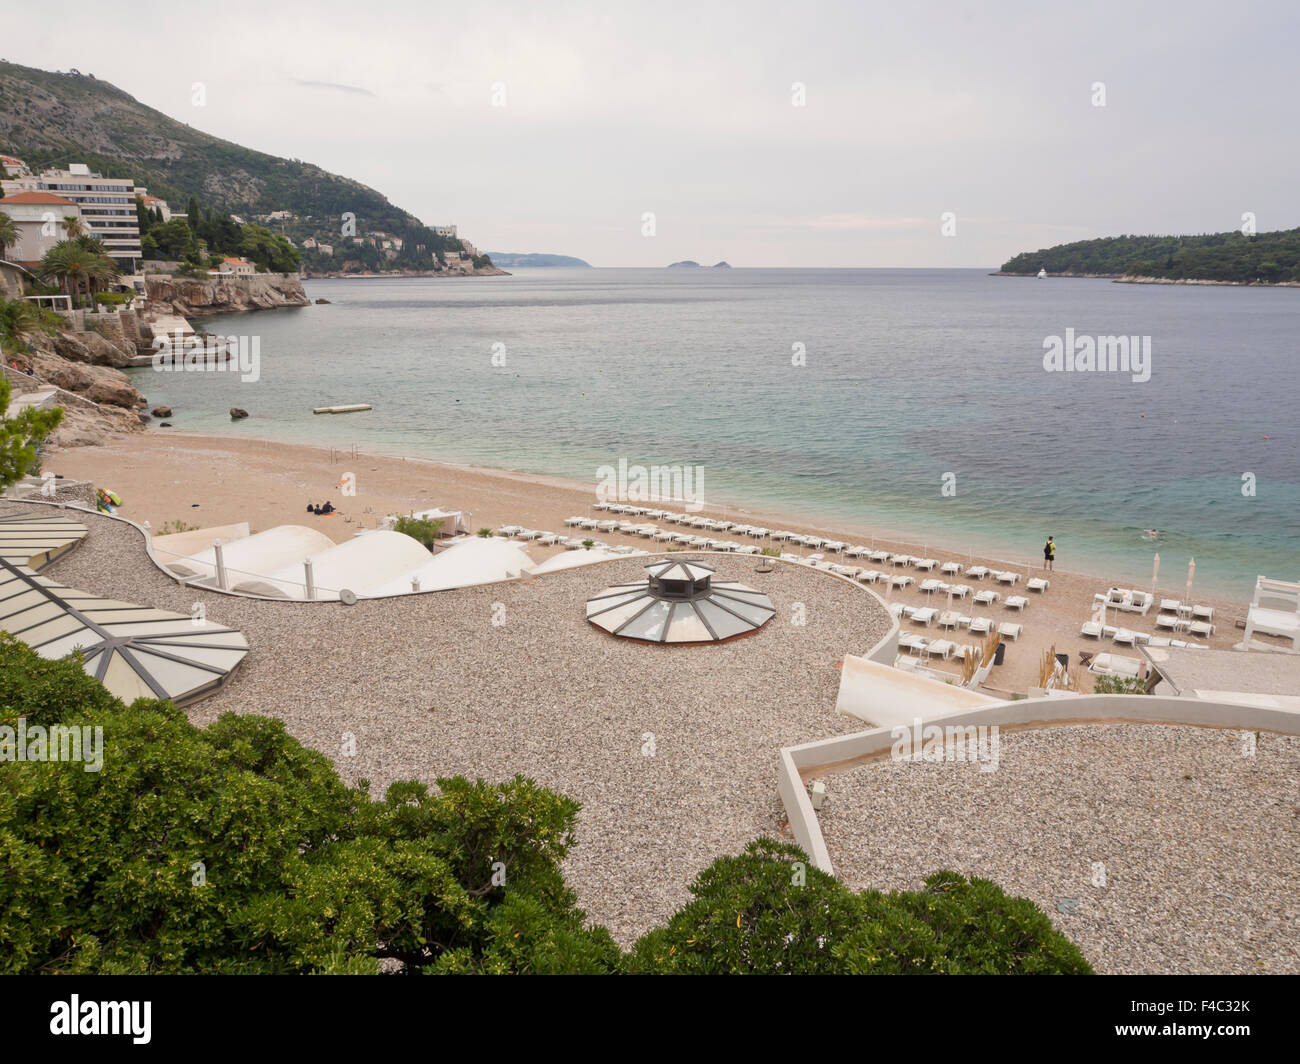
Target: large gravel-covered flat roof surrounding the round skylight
(431,687)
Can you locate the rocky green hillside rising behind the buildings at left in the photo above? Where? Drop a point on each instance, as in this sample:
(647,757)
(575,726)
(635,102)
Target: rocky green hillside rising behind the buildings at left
(51,119)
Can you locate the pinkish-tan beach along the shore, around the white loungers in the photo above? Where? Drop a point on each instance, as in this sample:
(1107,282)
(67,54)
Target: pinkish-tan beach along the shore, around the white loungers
(213,482)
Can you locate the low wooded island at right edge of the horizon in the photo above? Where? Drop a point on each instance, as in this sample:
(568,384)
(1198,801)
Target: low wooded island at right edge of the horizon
(1210,259)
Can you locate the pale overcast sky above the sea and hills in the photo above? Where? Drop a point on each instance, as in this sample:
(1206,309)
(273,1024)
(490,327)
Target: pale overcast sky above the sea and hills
(768,135)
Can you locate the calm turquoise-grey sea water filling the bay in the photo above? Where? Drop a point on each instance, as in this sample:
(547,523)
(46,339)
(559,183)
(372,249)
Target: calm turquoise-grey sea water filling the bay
(909,375)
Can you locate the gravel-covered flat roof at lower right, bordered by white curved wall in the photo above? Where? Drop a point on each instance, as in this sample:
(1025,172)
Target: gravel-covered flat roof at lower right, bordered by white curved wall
(1199,842)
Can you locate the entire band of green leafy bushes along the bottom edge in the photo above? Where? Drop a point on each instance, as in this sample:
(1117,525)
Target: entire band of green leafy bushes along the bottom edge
(236,850)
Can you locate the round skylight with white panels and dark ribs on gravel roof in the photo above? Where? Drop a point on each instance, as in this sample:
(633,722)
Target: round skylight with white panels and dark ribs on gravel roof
(681,604)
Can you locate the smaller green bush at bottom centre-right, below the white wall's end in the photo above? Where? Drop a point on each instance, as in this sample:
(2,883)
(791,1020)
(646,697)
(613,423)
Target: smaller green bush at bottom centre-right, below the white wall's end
(770,911)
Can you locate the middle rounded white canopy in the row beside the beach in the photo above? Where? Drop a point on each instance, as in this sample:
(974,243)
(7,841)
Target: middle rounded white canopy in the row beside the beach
(357,565)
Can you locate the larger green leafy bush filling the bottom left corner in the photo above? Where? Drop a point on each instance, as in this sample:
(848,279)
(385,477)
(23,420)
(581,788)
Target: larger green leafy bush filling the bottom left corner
(302,873)
